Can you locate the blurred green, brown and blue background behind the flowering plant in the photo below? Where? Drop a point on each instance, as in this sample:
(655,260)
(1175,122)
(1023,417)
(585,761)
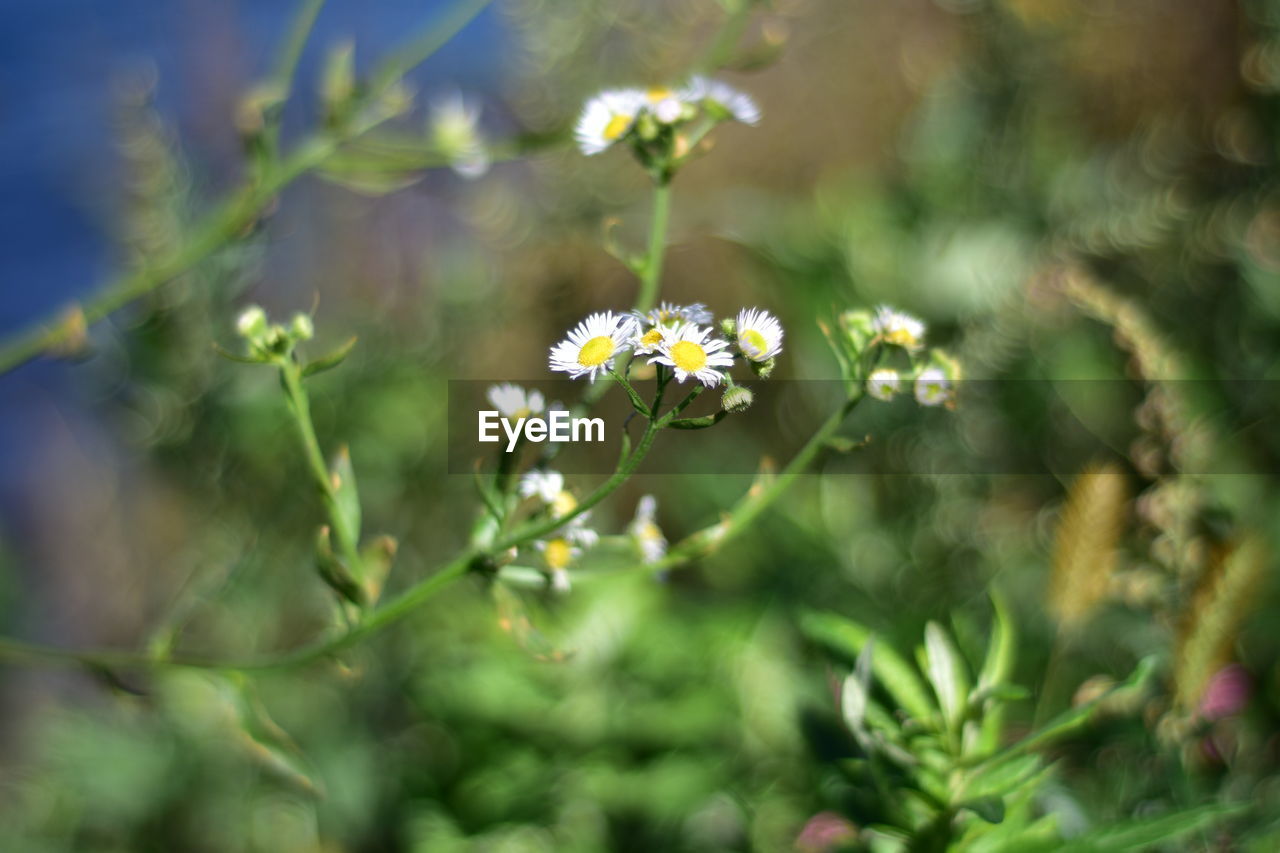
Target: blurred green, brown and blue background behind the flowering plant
(963,159)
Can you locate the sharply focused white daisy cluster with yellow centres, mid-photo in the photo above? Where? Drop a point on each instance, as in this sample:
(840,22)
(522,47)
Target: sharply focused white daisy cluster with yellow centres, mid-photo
(679,337)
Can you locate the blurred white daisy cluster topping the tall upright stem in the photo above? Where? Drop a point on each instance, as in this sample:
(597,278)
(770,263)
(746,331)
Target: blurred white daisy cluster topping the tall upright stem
(662,124)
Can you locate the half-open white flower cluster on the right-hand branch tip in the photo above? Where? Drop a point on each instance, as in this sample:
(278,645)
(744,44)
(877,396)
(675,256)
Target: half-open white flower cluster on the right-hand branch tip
(871,336)
